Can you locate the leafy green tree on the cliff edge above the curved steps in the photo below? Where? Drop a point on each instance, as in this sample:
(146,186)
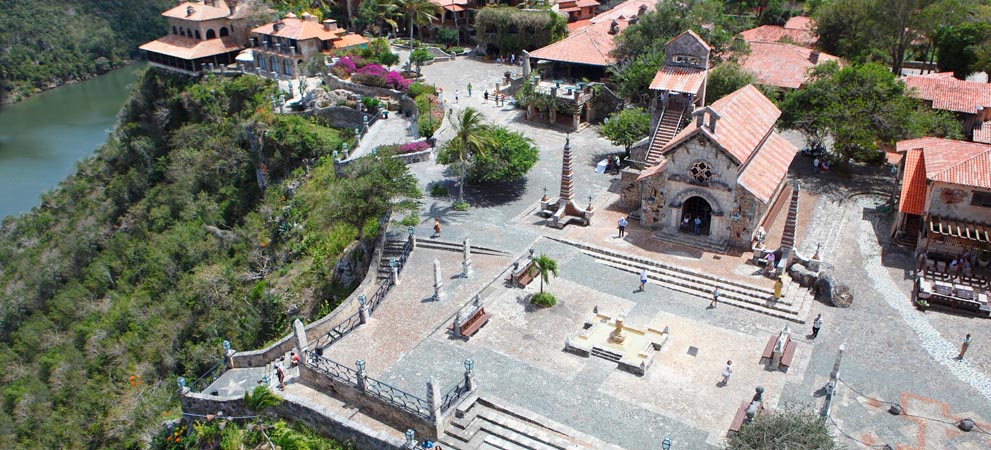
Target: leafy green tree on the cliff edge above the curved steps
(371,187)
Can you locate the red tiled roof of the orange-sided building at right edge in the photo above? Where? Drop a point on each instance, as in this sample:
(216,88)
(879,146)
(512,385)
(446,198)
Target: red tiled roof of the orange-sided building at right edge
(951,161)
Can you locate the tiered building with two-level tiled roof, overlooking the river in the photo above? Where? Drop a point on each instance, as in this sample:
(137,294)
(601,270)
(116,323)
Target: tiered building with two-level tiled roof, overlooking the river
(201,34)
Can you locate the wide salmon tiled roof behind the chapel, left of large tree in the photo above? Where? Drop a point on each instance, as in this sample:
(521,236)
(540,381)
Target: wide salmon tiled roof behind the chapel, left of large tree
(781,65)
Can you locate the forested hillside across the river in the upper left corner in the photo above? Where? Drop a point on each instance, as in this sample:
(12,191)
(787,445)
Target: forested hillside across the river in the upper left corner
(46,43)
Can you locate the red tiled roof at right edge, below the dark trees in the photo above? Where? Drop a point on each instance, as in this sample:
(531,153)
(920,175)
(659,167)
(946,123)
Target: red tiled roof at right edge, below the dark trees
(950,94)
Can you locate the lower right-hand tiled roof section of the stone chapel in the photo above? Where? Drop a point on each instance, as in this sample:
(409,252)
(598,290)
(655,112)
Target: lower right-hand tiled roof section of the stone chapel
(763,173)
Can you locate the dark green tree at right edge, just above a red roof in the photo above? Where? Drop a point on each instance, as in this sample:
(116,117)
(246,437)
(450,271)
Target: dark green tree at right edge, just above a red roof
(958,47)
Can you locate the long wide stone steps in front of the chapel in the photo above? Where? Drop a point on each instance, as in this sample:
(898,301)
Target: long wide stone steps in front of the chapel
(794,306)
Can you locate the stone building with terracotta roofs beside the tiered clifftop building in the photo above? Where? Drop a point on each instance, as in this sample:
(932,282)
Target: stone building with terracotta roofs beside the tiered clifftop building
(280,47)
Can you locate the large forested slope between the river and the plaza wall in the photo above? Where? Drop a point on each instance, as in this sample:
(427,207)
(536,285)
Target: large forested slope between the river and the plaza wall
(161,246)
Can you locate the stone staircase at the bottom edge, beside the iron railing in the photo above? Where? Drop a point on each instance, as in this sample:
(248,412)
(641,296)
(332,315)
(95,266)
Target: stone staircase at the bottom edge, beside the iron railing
(490,423)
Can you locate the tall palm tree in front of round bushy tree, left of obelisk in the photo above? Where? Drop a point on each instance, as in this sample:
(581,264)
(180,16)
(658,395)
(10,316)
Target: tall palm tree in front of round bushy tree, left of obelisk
(471,140)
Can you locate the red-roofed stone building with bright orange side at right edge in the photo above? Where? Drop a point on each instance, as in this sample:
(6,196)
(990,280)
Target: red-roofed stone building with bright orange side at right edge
(945,202)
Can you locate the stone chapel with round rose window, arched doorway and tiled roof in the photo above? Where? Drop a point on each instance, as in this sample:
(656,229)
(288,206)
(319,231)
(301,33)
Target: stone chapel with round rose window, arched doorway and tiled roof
(727,167)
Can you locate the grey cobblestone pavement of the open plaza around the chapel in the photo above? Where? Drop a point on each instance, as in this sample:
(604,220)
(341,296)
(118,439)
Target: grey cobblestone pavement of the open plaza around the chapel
(892,352)
